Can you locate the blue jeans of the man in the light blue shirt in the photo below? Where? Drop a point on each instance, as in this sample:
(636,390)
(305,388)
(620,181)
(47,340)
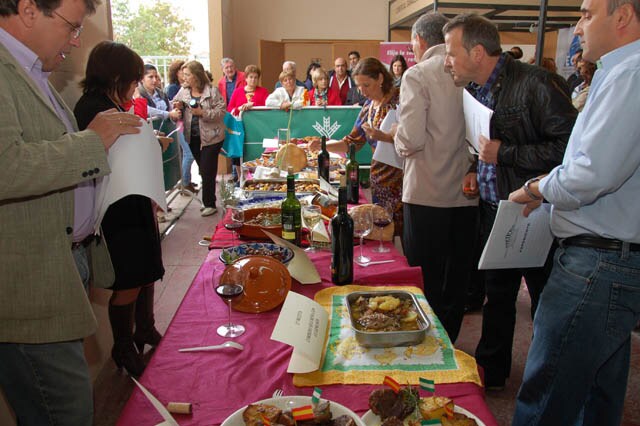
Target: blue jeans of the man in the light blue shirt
(578,361)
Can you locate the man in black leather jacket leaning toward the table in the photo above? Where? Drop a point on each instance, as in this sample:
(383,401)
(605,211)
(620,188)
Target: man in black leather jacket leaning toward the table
(532,121)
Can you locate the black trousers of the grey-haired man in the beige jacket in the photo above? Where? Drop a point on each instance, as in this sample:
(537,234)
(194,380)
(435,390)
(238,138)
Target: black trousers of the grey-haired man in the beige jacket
(440,240)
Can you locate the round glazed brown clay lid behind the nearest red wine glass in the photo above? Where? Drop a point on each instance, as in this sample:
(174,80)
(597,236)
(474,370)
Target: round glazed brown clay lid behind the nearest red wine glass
(266,283)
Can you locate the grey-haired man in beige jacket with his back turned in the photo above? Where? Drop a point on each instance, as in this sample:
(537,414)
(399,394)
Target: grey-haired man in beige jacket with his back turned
(439,220)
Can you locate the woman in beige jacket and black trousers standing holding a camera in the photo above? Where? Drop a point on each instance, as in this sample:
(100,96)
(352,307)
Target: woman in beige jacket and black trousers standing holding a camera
(203,109)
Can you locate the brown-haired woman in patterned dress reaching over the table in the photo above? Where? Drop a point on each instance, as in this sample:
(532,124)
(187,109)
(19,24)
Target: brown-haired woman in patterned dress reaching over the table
(375,83)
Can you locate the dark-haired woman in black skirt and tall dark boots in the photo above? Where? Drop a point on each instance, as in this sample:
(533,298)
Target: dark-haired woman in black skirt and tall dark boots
(129,226)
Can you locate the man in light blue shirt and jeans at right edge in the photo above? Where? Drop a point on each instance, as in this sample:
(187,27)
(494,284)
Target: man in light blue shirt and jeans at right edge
(578,362)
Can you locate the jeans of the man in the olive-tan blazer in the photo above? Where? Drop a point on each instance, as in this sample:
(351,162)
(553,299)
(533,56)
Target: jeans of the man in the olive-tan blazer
(47,384)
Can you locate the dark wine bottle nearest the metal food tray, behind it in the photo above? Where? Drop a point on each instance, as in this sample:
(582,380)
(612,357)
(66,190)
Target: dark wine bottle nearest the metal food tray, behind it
(342,243)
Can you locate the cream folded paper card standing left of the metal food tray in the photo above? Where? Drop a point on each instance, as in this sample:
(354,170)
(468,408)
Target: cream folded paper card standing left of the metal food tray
(302,324)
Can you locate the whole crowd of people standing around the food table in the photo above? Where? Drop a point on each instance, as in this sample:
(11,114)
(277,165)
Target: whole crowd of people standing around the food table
(443,198)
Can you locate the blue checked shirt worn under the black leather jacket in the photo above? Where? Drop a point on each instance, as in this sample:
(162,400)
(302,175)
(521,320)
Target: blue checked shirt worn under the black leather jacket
(487,181)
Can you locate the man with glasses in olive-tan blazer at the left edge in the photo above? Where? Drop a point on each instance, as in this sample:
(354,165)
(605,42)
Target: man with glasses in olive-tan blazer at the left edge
(46,168)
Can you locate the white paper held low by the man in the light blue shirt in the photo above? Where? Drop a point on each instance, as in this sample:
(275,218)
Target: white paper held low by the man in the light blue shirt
(517,241)
